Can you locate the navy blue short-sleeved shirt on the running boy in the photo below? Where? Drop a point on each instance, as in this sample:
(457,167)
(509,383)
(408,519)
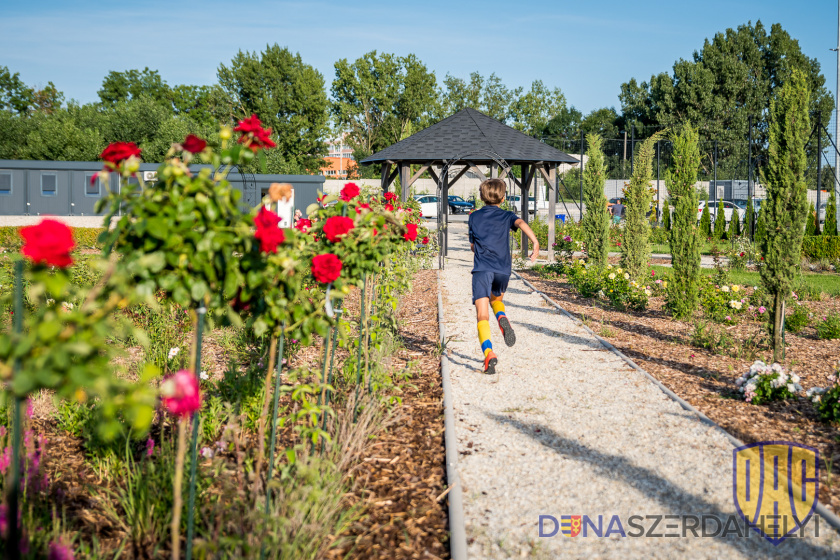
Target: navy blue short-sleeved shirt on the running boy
(489,227)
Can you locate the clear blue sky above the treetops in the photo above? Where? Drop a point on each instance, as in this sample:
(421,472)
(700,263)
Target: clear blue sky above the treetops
(587,49)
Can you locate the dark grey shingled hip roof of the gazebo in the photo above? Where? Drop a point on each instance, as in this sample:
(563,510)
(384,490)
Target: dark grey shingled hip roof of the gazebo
(470,134)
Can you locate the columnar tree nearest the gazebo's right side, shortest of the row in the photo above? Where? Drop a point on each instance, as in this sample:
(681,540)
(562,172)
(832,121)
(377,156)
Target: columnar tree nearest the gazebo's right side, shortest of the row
(595,225)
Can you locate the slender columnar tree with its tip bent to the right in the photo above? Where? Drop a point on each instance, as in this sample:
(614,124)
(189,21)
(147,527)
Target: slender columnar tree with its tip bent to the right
(635,251)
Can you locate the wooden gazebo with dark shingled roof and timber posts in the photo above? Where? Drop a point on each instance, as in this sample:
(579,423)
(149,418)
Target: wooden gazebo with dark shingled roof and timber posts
(469,139)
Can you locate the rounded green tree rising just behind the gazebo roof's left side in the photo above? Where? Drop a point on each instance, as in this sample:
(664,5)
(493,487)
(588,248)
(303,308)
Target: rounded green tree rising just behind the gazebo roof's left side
(378,98)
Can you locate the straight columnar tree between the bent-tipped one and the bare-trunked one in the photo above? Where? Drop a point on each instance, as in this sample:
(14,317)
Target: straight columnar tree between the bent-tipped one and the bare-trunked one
(684,288)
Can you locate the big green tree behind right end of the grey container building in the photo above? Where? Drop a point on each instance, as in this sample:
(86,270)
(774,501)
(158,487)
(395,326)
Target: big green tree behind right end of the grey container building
(287,95)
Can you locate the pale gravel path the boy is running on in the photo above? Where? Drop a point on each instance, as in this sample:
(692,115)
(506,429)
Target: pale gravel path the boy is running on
(567,428)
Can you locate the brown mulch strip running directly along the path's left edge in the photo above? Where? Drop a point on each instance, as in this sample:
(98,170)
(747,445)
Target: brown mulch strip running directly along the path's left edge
(402,479)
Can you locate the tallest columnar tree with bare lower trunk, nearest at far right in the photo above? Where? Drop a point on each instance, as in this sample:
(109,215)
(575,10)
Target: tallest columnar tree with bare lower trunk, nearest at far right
(787,202)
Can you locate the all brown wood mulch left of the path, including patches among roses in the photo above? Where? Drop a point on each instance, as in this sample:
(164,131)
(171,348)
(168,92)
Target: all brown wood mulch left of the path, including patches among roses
(399,482)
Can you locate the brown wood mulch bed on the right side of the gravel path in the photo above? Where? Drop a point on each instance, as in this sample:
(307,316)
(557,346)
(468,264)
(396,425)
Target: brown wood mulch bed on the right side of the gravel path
(706,379)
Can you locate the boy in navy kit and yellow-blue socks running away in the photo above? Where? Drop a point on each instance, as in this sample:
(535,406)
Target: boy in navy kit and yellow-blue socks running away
(489,227)
